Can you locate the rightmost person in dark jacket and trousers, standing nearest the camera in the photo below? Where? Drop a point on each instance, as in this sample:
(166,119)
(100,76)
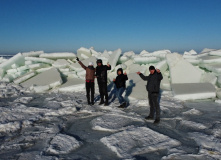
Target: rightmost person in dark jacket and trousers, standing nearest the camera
(153,89)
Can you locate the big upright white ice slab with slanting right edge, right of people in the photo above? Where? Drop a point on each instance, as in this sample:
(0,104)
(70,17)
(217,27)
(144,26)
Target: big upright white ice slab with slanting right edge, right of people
(181,71)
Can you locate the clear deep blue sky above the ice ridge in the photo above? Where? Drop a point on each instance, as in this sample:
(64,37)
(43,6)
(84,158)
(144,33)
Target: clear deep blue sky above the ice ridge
(66,25)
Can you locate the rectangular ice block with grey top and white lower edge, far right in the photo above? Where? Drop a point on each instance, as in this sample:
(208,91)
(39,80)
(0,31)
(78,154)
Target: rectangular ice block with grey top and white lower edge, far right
(193,91)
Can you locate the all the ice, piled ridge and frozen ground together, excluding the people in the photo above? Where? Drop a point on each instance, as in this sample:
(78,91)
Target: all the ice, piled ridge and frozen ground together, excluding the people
(45,116)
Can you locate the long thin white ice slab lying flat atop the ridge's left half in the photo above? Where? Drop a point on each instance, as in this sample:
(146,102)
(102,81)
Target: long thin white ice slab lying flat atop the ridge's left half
(63,55)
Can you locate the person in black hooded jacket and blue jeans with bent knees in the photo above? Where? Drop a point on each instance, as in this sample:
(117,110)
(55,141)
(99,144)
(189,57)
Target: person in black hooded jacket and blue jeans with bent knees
(120,83)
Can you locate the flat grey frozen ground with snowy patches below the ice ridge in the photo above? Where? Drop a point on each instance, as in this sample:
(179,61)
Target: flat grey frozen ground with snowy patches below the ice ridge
(61,126)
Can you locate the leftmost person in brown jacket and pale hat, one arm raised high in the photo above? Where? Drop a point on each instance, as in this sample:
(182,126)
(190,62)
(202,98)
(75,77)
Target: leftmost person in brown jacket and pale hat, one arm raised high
(90,75)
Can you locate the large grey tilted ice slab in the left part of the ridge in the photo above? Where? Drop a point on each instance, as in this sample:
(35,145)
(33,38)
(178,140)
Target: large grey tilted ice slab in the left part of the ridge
(50,77)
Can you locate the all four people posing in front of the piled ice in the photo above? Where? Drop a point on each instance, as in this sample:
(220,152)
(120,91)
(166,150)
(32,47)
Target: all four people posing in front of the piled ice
(100,72)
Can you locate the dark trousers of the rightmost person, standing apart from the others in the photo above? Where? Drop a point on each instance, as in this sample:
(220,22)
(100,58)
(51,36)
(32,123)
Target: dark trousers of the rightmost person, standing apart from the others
(154,104)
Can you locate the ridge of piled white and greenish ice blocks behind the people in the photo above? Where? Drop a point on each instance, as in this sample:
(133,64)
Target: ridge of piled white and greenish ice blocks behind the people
(42,72)
